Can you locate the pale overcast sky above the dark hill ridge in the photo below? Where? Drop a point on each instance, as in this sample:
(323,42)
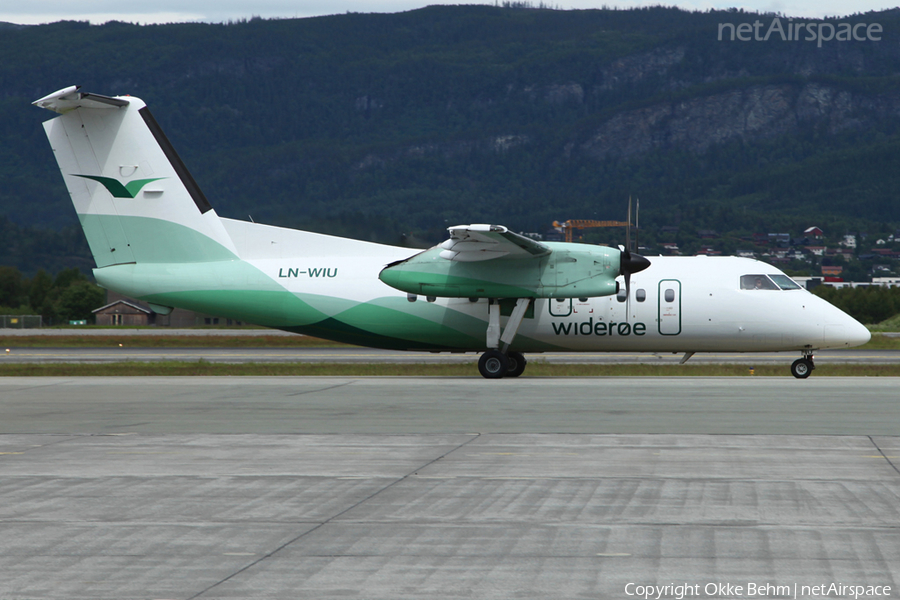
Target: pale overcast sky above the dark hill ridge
(218,11)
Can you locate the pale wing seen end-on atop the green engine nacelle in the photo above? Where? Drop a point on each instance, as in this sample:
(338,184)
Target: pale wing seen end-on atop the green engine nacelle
(472,243)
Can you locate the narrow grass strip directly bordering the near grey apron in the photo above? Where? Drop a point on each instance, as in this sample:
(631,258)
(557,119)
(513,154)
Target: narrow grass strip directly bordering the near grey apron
(535,369)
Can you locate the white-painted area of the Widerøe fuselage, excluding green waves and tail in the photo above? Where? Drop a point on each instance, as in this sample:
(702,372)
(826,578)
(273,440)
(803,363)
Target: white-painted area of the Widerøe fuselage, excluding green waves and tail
(678,304)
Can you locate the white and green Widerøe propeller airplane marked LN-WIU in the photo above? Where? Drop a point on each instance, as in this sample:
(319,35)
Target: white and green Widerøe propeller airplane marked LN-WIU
(155,237)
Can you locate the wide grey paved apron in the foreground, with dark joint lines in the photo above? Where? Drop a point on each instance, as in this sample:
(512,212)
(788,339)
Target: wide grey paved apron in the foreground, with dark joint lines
(395,488)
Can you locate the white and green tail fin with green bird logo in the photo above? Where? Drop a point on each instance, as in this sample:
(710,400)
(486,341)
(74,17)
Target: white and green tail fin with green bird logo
(136,200)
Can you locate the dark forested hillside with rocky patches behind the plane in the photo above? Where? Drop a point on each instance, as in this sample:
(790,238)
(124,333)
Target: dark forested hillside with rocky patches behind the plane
(382,126)
